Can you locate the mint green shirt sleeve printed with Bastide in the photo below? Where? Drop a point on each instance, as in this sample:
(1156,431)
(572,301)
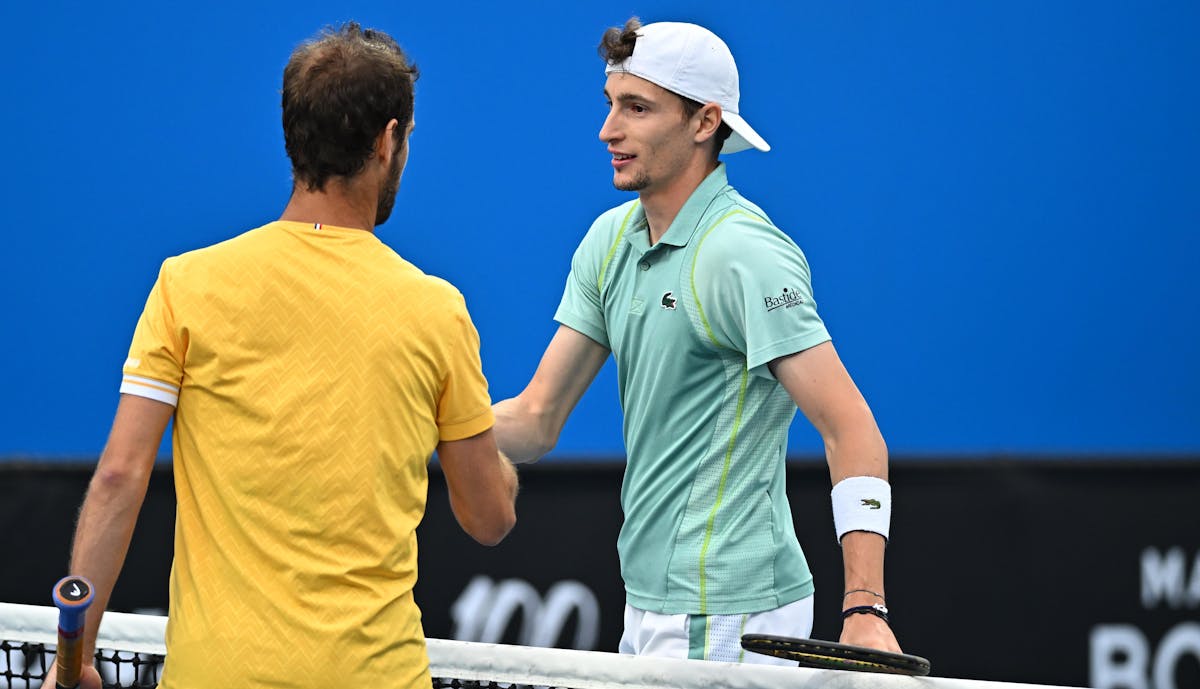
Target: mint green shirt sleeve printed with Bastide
(755,291)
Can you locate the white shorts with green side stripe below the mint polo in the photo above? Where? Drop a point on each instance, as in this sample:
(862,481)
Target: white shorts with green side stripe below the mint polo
(713,637)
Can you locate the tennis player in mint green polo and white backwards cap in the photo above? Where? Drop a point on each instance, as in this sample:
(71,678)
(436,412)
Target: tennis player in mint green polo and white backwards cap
(709,310)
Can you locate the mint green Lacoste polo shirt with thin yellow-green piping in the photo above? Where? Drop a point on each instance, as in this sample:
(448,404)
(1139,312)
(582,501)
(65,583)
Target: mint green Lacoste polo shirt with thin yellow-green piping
(693,323)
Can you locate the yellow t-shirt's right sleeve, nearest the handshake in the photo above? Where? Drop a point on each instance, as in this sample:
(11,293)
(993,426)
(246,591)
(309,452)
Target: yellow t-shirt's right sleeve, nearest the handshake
(465,408)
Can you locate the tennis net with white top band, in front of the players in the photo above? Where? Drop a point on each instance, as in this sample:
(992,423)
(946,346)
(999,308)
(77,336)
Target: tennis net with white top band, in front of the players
(130,655)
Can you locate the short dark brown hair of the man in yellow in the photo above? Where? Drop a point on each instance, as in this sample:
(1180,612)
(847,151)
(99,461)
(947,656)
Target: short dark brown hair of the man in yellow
(340,91)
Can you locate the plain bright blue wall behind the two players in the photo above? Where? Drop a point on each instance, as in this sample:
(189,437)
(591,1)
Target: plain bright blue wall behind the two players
(1000,200)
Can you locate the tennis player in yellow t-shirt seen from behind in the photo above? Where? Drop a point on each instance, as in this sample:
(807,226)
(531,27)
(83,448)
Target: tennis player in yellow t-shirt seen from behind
(311,374)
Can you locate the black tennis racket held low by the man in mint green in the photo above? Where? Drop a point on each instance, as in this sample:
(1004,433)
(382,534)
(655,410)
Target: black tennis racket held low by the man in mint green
(830,656)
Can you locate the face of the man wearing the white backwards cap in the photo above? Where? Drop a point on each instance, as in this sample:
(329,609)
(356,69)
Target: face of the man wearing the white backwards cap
(647,134)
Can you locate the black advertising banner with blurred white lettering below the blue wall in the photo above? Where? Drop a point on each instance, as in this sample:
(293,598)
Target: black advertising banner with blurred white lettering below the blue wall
(1069,572)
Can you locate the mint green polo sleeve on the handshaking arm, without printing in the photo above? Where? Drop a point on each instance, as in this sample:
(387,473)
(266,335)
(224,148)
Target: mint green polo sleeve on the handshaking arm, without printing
(583,305)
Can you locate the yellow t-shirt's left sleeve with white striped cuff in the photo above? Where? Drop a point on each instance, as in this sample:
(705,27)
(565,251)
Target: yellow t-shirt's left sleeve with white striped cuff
(155,364)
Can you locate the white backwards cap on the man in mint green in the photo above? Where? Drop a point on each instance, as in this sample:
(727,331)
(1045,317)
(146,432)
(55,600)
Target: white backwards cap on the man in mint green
(694,63)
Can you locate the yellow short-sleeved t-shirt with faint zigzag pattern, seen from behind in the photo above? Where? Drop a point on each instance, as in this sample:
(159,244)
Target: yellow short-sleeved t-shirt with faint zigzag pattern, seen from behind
(314,373)
